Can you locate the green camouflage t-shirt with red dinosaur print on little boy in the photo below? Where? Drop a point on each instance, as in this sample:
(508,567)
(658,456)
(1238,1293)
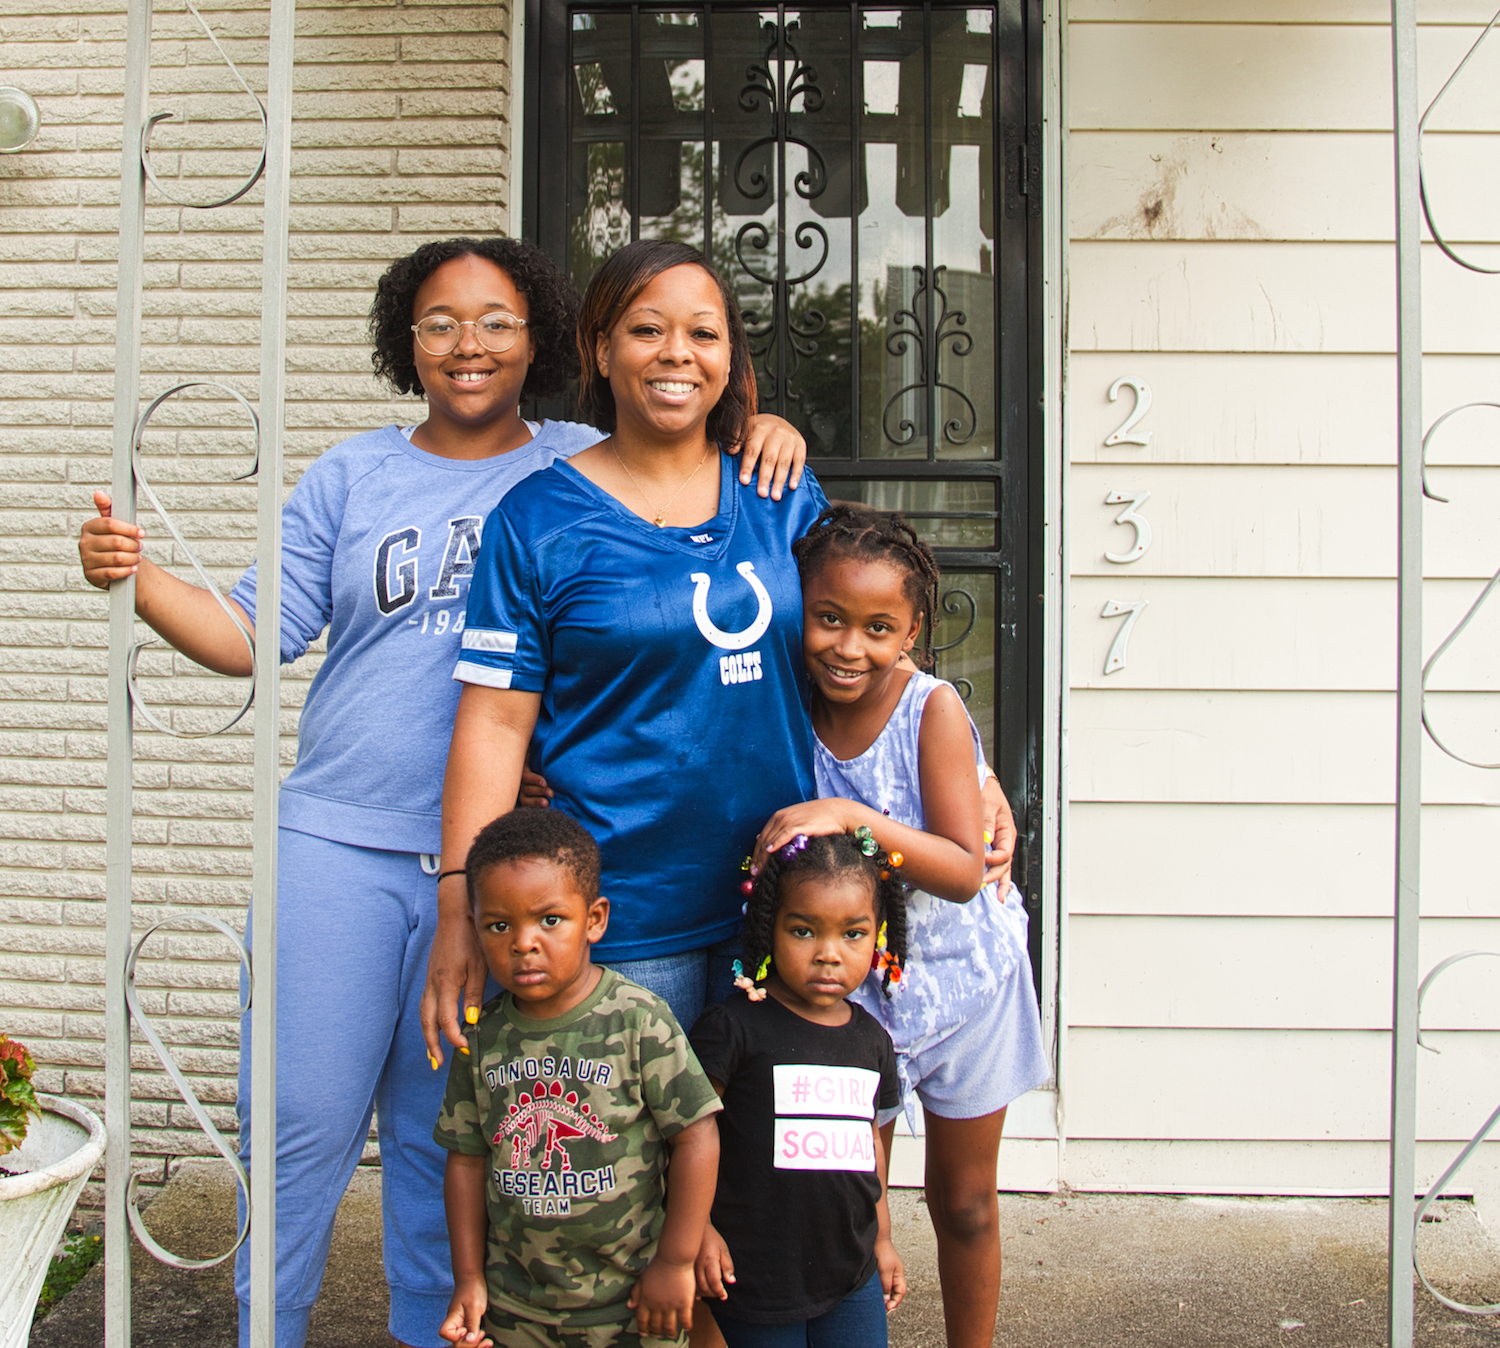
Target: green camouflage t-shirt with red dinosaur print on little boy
(575,1115)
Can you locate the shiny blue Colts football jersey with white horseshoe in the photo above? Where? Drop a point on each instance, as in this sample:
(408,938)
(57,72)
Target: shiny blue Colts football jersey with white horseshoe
(674,704)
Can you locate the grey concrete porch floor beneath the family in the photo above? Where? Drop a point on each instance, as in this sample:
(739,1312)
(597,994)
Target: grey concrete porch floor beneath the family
(1088,1271)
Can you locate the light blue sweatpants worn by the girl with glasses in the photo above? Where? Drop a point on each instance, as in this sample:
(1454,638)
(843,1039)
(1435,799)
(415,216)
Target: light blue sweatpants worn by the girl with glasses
(353,932)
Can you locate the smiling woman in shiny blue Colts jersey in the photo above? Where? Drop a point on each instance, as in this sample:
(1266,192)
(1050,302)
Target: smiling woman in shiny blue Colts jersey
(635,620)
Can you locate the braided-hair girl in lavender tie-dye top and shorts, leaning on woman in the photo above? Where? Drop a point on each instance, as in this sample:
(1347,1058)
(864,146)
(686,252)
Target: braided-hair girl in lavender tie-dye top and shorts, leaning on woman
(898,756)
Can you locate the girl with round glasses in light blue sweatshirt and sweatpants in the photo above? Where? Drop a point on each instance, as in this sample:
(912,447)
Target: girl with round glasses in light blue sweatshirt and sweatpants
(380,542)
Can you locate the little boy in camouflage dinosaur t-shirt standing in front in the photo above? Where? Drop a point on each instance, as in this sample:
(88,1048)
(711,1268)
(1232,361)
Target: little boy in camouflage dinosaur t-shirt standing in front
(575,1089)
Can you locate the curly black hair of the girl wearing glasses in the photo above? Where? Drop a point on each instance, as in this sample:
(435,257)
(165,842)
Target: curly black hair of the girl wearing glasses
(551,311)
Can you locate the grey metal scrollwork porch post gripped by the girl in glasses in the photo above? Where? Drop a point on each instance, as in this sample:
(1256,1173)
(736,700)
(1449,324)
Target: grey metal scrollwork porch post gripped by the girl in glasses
(130,425)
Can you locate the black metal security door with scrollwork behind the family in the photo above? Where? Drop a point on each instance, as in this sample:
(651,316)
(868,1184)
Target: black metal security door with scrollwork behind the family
(868,179)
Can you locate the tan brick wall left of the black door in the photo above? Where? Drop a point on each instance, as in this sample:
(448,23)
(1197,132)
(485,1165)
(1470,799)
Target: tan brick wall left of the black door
(401,134)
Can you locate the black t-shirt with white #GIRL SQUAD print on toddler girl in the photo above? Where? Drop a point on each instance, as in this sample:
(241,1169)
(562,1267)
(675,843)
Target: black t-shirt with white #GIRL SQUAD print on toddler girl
(797,1178)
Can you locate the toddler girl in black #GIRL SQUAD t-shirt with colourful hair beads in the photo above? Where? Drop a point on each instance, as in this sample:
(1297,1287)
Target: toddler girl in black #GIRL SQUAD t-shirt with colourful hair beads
(799,1253)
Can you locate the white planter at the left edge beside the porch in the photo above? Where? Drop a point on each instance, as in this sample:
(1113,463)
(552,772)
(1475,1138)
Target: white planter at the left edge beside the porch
(59,1152)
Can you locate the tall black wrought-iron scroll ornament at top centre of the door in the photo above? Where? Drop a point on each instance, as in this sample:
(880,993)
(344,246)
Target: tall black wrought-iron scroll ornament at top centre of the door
(773,86)
